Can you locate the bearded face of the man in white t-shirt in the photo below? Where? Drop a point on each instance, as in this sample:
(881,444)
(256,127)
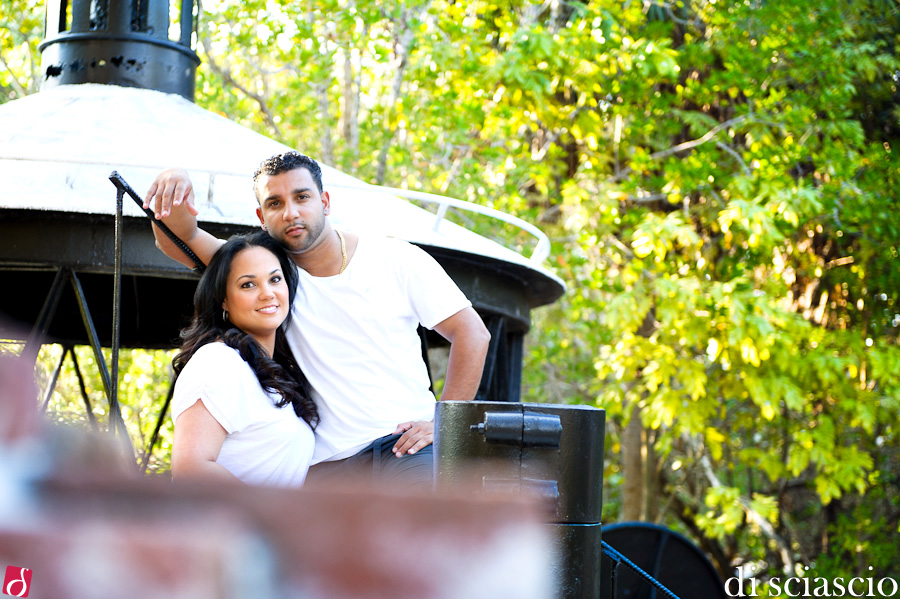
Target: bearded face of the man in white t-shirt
(292,209)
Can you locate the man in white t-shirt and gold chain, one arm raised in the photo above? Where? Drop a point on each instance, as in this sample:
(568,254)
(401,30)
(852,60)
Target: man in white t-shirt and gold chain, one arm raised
(358,306)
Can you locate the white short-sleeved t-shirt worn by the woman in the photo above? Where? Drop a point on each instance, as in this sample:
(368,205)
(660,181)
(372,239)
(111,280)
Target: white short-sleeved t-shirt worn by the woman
(265,445)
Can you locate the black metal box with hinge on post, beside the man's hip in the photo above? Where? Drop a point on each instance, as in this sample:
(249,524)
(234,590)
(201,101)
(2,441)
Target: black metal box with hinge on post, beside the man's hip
(551,452)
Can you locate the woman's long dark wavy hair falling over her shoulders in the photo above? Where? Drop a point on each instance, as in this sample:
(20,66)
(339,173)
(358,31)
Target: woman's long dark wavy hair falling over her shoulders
(280,373)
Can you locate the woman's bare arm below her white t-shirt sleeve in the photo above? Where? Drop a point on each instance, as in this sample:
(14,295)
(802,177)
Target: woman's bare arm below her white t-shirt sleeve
(198,441)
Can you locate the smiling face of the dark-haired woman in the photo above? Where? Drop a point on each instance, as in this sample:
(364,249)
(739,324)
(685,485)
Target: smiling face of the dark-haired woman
(256,296)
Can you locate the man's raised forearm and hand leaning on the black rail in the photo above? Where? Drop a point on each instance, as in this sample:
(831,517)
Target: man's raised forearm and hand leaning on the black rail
(171,197)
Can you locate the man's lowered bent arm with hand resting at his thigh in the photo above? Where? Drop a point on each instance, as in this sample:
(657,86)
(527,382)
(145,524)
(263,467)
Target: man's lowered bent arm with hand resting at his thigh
(469,340)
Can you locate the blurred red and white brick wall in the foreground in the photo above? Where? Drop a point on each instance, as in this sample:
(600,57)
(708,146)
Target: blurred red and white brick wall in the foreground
(71,511)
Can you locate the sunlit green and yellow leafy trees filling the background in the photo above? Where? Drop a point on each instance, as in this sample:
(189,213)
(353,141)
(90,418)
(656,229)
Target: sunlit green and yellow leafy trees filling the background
(717,178)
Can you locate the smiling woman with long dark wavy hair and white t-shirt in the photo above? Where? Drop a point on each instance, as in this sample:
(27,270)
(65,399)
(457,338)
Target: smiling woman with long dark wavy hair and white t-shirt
(242,407)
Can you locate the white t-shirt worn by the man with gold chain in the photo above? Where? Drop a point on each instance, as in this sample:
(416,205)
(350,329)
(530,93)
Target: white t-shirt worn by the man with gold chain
(355,337)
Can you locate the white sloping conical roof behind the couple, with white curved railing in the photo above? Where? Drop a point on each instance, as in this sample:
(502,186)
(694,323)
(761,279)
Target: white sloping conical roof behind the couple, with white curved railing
(58,148)
